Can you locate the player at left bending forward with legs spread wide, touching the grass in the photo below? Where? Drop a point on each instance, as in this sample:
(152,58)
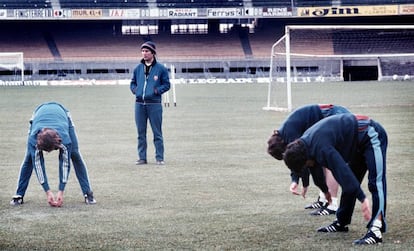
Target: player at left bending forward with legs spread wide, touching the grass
(51,128)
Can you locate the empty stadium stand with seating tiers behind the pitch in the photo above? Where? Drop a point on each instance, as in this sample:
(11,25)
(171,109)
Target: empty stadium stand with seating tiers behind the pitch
(72,49)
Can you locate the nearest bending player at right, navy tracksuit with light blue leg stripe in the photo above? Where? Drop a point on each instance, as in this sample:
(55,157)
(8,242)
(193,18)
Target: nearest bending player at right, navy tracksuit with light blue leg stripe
(349,145)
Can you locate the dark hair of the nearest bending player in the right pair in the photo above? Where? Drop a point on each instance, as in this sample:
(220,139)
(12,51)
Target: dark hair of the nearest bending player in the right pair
(295,157)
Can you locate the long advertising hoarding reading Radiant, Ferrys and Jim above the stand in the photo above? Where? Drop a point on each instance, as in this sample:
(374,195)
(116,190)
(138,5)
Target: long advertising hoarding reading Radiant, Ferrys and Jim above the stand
(222,13)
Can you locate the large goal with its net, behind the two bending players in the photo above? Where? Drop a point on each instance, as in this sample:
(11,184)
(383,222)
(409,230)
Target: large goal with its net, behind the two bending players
(322,53)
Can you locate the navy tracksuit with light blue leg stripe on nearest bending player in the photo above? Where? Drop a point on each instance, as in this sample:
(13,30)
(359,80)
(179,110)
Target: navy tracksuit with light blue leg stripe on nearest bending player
(361,142)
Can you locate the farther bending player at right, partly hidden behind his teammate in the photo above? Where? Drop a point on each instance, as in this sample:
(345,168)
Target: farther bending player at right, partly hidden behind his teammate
(292,128)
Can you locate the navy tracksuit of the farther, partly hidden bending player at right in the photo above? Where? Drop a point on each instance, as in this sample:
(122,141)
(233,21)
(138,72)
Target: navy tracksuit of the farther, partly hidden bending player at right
(300,120)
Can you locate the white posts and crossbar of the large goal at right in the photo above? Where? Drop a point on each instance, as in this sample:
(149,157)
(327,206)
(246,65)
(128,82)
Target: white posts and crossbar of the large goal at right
(287,54)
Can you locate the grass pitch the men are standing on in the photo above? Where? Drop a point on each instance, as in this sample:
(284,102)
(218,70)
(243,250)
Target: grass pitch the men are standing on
(219,189)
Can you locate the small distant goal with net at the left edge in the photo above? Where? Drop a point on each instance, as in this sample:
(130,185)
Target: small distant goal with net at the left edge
(12,63)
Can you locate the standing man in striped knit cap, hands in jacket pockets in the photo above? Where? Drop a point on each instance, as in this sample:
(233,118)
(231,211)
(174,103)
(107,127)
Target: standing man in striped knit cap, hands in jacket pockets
(149,81)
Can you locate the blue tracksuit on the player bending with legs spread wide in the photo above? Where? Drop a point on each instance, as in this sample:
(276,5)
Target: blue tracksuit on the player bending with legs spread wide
(54,116)
